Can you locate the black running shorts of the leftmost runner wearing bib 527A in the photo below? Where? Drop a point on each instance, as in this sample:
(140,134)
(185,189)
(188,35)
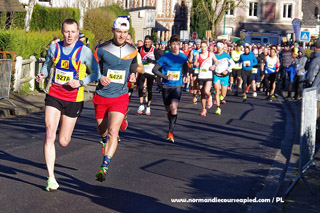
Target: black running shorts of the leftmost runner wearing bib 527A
(68,108)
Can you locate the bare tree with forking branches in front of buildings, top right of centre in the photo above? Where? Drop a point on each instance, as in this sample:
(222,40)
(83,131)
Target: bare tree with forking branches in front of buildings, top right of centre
(215,10)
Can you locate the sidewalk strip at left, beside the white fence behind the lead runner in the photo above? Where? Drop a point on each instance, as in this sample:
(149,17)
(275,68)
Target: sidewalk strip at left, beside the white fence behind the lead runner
(31,102)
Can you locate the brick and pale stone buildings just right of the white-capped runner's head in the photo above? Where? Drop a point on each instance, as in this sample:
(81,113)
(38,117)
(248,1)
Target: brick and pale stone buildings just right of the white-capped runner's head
(160,18)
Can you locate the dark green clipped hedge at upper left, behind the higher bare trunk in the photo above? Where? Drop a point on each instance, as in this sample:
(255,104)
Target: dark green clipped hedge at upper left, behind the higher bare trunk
(45,18)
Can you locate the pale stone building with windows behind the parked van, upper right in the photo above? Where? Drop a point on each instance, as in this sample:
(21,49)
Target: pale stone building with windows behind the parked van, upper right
(264,16)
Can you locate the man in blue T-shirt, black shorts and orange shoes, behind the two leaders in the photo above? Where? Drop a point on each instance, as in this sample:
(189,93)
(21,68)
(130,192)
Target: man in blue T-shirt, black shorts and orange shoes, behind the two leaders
(174,76)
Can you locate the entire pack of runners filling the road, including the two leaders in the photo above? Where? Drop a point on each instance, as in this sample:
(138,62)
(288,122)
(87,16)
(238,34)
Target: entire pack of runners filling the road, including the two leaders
(117,65)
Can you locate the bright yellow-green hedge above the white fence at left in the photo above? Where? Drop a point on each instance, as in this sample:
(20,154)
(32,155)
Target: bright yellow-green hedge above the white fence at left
(31,43)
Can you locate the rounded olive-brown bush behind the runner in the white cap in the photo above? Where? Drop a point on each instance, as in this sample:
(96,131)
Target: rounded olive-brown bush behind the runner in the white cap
(99,21)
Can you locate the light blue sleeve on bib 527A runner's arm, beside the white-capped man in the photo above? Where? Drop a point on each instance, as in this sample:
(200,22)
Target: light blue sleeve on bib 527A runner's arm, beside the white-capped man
(91,63)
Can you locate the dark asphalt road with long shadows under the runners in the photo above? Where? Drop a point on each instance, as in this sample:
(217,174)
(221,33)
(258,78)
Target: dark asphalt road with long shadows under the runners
(226,156)
